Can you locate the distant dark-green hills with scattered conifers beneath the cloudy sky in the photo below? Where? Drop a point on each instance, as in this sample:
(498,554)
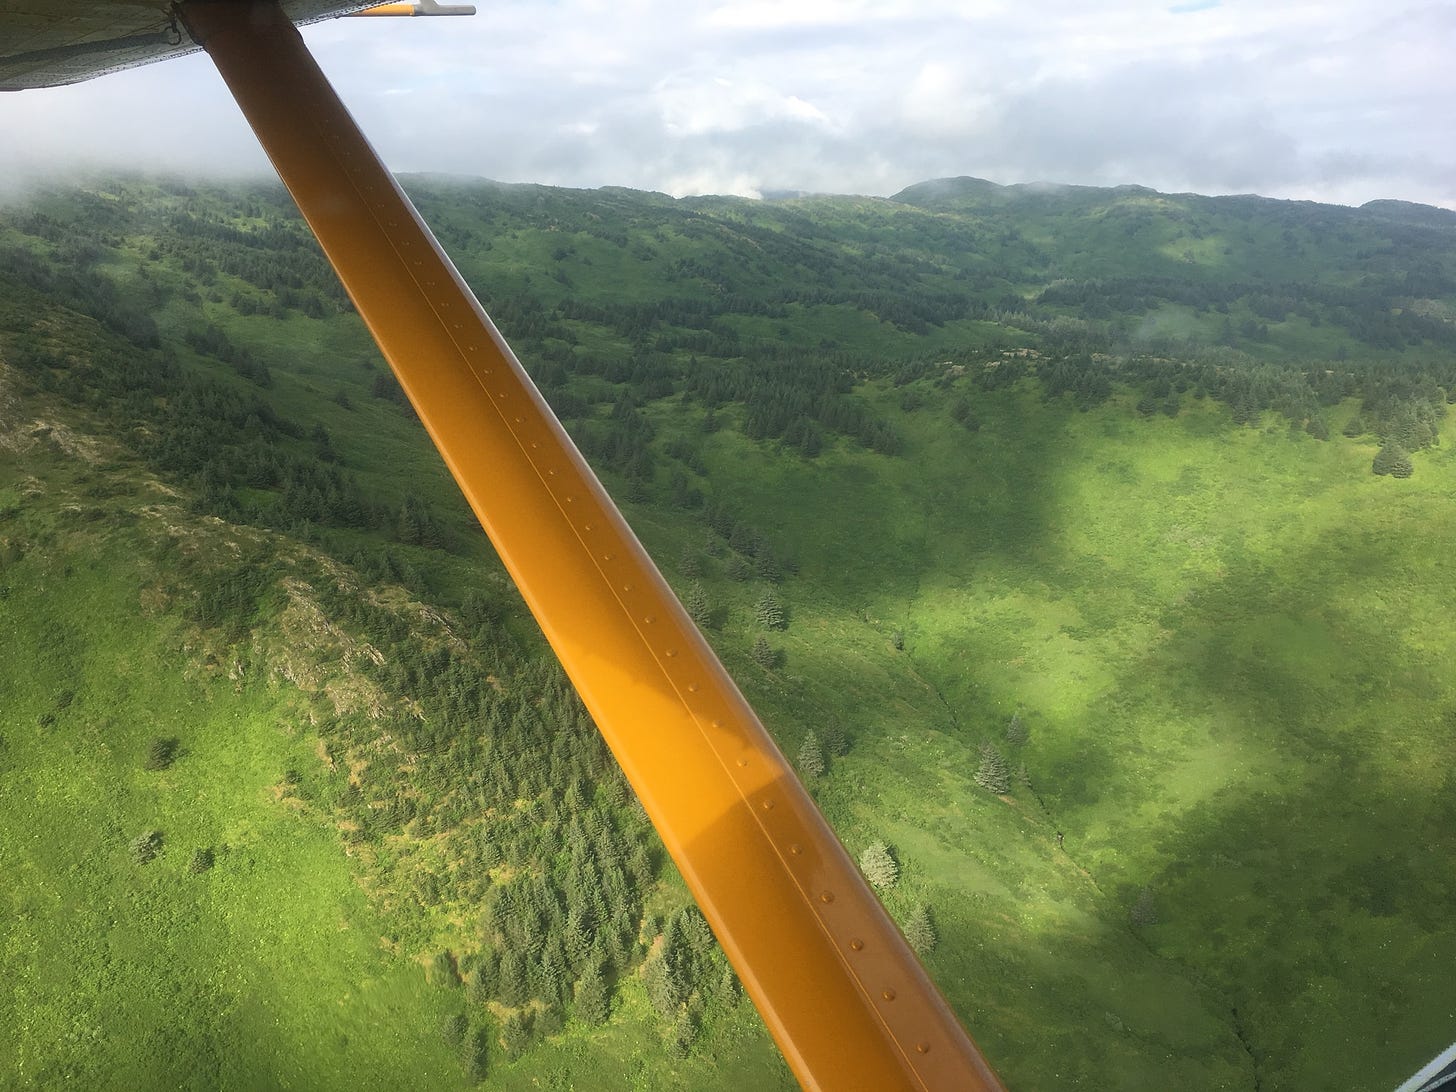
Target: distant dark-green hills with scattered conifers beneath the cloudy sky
(617,299)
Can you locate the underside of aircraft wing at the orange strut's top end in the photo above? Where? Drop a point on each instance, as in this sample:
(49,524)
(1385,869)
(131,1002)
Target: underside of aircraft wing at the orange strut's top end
(47,44)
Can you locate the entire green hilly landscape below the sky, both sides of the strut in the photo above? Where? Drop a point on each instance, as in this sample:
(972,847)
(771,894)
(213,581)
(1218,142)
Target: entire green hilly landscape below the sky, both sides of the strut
(1085,548)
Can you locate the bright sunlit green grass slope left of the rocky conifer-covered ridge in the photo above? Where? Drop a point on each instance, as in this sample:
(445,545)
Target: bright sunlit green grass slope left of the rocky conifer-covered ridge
(266,970)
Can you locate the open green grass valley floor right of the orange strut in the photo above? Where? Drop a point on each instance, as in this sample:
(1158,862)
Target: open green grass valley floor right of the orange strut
(1231,652)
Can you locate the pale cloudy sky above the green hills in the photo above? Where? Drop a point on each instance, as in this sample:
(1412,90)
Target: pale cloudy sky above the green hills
(1334,101)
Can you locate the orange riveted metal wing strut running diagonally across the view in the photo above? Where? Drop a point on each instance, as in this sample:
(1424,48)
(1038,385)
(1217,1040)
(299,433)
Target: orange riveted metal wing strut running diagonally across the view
(836,985)
